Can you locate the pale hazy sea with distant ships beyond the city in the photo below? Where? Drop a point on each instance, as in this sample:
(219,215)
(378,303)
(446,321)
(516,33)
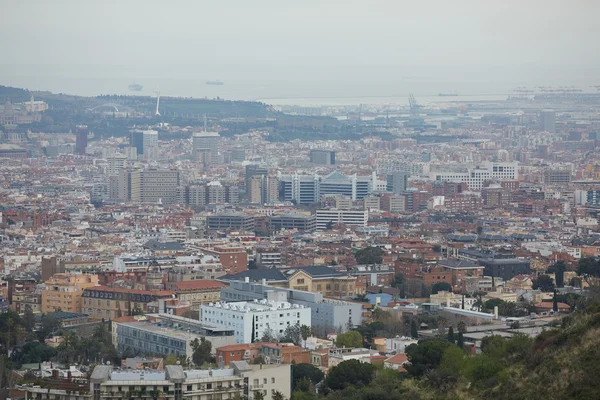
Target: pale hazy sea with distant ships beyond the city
(279,87)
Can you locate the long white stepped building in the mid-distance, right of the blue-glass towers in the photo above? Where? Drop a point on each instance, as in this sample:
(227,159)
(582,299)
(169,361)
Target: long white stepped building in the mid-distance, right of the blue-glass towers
(475,177)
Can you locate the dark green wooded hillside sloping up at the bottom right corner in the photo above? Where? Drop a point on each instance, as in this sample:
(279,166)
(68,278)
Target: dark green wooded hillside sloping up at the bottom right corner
(561,363)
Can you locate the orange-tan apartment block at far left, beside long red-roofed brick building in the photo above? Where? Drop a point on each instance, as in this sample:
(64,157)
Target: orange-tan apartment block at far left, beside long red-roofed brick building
(63,292)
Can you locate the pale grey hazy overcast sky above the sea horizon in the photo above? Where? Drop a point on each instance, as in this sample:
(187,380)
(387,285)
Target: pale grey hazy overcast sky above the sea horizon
(305,39)
